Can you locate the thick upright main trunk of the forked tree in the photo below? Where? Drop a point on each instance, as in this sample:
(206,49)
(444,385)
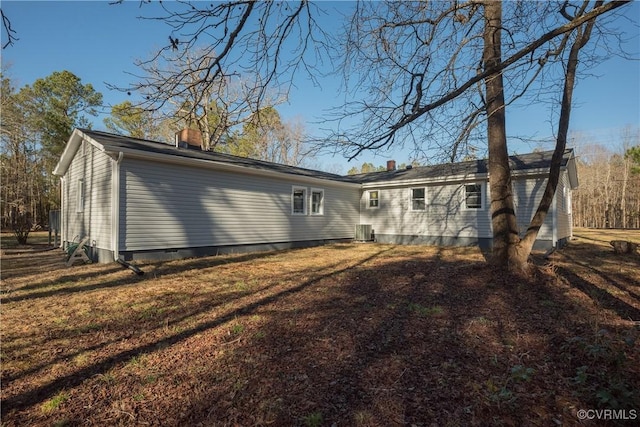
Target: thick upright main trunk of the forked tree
(506,253)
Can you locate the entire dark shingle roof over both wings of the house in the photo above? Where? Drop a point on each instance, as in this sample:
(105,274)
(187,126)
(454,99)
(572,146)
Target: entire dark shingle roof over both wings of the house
(521,162)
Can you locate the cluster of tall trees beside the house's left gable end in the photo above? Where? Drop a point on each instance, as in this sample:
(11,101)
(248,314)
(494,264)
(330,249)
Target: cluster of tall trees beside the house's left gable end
(35,124)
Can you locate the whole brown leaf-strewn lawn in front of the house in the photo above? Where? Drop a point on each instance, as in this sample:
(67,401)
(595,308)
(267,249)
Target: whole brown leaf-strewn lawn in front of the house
(345,335)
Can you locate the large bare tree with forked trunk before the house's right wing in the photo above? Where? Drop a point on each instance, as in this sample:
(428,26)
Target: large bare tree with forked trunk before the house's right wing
(430,59)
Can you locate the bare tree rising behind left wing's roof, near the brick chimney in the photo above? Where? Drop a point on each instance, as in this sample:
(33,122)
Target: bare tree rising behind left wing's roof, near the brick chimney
(224,82)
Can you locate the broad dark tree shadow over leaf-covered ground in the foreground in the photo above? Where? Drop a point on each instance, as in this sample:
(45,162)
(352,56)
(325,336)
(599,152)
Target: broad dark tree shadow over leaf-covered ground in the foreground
(392,337)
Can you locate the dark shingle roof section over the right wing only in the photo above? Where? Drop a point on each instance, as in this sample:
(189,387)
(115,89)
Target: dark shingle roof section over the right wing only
(521,162)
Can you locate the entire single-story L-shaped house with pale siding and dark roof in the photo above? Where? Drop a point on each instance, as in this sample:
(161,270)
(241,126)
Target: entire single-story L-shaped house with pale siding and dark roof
(139,199)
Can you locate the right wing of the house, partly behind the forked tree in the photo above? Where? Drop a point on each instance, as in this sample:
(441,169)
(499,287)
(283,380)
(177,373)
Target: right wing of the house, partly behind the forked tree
(448,204)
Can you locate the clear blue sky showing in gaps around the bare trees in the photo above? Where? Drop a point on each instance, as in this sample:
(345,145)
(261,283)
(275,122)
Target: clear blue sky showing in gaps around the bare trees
(99,43)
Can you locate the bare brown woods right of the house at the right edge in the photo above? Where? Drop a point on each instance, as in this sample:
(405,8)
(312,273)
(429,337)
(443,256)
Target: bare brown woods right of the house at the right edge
(608,195)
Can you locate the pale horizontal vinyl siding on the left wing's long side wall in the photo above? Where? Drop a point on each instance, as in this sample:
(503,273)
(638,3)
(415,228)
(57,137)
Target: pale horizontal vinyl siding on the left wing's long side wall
(166,206)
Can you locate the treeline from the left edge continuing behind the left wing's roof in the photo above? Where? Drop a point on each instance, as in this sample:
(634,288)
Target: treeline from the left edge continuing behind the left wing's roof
(38,119)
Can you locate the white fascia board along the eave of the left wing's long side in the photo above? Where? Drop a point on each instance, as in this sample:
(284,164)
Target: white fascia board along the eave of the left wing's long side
(221,166)
